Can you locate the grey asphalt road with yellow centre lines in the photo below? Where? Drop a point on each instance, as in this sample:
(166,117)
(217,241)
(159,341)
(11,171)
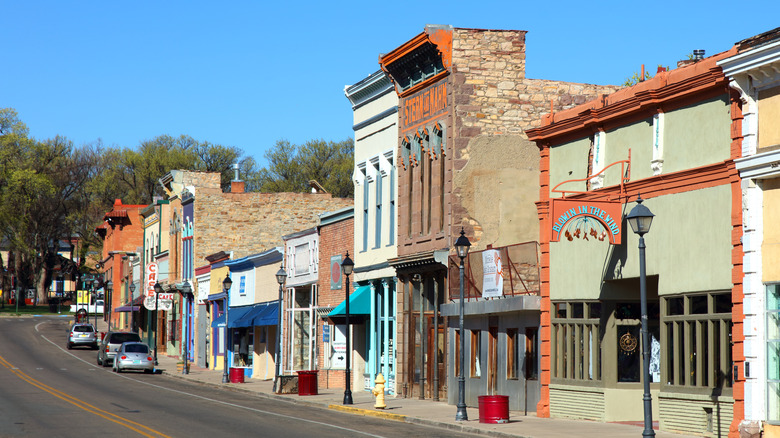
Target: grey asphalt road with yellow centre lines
(49,391)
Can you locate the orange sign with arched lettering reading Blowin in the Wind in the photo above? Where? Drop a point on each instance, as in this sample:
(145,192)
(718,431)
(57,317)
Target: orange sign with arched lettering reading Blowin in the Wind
(587,220)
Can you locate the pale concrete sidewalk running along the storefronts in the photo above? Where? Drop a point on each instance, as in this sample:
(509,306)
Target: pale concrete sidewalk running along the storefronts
(426,412)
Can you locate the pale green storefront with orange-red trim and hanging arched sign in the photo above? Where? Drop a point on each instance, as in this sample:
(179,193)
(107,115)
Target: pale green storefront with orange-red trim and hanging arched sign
(596,160)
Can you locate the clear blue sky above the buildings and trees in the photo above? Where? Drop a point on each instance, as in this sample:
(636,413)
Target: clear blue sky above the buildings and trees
(247,74)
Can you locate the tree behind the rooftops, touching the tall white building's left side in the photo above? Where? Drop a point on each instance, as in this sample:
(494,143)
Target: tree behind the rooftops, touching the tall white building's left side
(291,167)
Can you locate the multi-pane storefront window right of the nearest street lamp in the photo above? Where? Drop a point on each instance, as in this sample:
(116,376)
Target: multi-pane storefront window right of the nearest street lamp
(697,333)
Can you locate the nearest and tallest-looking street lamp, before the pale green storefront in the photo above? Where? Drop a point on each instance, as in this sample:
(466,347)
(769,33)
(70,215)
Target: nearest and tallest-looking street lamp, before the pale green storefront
(640,219)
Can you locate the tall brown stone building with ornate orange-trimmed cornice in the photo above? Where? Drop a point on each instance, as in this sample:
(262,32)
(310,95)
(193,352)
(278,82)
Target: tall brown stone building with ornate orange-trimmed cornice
(464,162)
